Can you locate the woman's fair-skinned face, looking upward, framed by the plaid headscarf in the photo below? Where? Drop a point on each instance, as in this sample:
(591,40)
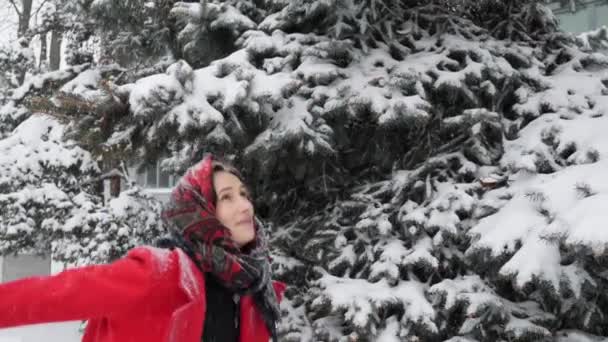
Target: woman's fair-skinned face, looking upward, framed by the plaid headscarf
(233,207)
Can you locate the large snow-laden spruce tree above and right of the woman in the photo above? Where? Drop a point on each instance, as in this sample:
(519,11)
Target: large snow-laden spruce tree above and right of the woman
(420,162)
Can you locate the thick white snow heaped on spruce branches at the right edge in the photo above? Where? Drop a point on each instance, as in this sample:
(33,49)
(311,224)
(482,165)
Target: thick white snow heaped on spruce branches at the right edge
(542,207)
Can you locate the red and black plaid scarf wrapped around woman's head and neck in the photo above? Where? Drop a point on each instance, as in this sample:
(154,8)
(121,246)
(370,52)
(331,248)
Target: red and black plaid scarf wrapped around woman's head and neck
(190,218)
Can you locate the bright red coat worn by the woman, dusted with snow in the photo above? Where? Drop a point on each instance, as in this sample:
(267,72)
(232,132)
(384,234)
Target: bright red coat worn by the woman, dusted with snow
(151,295)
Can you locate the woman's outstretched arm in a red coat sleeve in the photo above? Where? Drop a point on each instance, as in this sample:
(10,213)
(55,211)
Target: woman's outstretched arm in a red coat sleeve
(87,292)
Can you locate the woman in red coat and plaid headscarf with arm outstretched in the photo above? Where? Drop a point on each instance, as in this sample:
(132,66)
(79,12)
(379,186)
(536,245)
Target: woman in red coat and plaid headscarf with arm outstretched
(187,291)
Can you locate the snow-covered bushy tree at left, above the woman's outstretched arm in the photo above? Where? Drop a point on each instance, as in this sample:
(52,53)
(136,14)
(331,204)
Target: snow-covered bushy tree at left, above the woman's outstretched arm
(50,199)
